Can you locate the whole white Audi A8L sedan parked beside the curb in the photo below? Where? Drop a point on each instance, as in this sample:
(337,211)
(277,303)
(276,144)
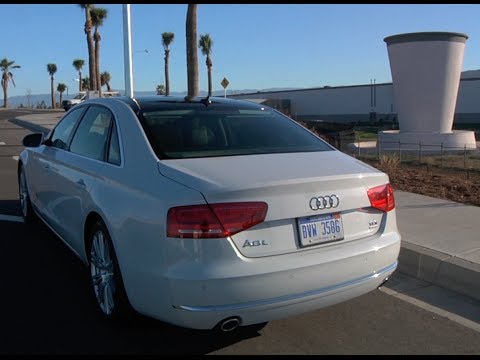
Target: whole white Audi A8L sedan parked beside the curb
(209,214)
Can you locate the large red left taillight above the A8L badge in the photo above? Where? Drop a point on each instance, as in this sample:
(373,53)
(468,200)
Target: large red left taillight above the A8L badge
(214,220)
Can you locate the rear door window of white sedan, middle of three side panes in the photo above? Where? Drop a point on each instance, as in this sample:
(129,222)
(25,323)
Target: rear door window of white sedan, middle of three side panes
(91,137)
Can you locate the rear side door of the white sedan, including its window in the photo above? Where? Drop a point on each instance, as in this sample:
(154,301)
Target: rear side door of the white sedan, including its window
(76,172)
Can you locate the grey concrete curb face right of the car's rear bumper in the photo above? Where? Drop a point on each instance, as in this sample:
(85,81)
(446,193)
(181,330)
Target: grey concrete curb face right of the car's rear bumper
(444,270)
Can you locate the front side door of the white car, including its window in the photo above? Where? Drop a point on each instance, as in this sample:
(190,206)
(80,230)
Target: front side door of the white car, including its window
(43,160)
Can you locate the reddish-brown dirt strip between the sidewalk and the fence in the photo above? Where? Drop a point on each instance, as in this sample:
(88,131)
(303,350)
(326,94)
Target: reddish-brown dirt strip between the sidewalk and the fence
(450,184)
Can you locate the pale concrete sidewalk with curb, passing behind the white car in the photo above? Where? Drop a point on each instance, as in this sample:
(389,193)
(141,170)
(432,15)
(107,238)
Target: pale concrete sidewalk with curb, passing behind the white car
(440,238)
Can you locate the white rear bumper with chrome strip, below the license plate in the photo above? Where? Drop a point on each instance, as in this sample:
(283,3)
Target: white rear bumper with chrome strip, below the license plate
(200,295)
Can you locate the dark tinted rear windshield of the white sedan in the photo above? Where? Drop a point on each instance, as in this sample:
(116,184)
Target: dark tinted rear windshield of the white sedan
(195,130)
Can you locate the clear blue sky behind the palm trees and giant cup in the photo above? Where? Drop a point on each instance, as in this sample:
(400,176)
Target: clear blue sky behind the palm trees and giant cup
(255,46)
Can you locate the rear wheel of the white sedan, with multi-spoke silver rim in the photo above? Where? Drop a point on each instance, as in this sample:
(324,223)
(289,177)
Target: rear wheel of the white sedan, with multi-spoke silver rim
(105,277)
